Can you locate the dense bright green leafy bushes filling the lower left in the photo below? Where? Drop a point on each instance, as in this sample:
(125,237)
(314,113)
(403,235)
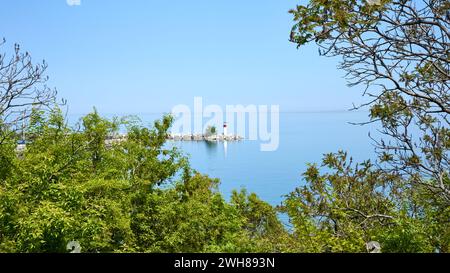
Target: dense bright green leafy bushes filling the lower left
(117,194)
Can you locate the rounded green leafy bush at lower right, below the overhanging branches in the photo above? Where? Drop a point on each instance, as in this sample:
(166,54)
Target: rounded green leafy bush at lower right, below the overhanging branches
(353,204)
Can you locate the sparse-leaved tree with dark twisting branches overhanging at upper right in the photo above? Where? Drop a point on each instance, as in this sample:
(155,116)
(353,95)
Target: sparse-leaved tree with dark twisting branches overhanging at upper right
(398,51)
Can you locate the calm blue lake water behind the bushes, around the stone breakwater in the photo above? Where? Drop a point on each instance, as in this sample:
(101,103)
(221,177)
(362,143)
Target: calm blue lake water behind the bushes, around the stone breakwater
(304,138)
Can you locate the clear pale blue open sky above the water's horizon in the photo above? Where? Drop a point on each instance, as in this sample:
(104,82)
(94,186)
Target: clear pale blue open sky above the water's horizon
(145,56)
